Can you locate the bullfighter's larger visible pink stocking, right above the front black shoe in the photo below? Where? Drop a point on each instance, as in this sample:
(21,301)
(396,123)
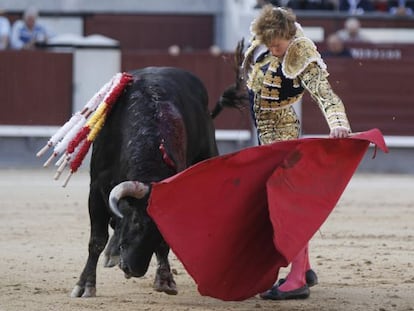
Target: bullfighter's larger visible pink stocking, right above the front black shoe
(296,277)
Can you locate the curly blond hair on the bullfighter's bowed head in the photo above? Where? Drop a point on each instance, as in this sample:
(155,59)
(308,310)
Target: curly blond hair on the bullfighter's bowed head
(274,23)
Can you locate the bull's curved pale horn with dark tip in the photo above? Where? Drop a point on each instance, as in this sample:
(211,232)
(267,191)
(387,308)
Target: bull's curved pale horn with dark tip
(133,189)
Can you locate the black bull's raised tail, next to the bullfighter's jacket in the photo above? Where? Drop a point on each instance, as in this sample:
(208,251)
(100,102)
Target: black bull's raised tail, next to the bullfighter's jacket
(235,96)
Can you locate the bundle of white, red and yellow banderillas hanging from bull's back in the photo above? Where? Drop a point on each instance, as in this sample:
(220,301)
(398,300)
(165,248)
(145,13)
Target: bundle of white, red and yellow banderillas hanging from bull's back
(75,137)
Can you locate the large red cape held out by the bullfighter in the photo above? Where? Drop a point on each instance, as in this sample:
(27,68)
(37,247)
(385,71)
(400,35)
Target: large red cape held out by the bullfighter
(235,220)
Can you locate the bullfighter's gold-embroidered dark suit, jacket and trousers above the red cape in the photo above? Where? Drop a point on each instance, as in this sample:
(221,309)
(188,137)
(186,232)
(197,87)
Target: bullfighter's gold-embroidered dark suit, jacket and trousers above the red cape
(275,84)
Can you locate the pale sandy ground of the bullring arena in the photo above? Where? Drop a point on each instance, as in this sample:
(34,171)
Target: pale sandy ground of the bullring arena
(364,253)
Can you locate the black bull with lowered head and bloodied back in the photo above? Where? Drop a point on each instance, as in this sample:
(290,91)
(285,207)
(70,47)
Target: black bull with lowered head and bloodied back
(159,126)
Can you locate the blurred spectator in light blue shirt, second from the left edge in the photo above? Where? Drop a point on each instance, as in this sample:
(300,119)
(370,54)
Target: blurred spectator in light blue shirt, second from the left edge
(27,32)
